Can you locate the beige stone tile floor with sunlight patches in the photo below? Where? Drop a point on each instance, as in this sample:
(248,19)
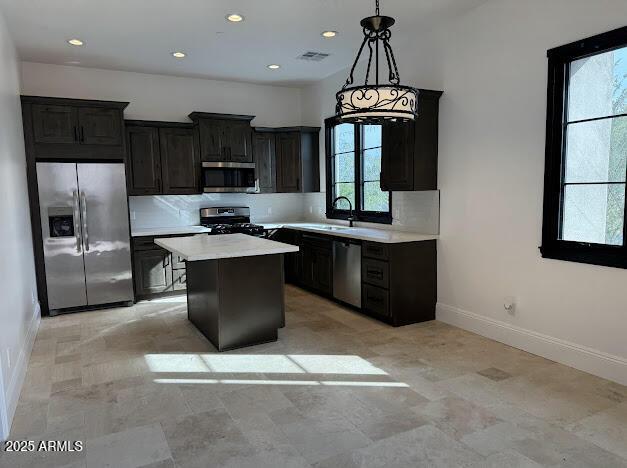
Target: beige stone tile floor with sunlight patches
(143,389)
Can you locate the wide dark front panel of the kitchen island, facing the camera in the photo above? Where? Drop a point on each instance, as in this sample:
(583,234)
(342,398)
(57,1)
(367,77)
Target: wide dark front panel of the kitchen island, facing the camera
(251,300)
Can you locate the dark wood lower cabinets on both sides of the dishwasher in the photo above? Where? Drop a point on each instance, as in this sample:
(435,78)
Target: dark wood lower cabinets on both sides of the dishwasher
(399,281)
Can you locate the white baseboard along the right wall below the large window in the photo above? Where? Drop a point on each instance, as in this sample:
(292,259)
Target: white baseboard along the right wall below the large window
(580,357)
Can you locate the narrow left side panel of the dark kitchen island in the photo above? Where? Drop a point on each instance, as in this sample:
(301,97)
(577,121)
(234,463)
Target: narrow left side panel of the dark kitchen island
(203,300)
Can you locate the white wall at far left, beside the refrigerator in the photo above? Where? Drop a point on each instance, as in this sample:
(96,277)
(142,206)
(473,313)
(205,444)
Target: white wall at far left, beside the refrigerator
(19,311)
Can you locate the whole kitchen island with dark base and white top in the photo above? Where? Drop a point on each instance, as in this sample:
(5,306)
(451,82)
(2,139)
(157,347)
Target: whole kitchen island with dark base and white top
(234,286)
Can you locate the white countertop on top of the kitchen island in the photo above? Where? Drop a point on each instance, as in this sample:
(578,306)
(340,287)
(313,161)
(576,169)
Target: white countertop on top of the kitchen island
(195,248)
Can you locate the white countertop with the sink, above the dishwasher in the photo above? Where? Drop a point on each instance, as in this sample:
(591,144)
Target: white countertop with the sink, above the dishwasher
(384,236)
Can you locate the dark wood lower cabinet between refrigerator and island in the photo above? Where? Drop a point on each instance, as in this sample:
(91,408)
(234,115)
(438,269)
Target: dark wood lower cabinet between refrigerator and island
(156,272)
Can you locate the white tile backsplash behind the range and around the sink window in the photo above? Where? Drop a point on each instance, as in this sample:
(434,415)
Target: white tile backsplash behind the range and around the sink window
(411,211)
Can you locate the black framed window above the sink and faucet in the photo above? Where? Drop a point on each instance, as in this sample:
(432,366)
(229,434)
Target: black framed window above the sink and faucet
(354,171)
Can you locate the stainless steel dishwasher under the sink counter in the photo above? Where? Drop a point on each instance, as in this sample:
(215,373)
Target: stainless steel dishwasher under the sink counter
(347,271)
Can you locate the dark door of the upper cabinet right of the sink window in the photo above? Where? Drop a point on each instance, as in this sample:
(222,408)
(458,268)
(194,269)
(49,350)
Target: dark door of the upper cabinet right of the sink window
(397,157)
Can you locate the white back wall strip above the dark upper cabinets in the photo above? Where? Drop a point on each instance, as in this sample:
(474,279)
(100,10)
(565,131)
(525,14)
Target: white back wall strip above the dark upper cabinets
(160,97)
